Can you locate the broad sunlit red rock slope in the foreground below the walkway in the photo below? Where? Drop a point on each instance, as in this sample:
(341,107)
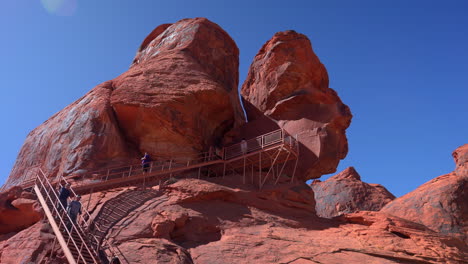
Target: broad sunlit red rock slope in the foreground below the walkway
(224,221)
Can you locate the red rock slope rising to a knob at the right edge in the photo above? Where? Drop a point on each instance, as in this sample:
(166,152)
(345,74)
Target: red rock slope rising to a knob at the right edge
(442,203)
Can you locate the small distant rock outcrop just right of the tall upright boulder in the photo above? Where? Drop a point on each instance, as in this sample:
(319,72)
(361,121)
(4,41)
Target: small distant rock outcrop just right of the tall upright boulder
(346,193)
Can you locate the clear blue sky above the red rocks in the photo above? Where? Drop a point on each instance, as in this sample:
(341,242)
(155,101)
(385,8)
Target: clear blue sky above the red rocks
(401,66)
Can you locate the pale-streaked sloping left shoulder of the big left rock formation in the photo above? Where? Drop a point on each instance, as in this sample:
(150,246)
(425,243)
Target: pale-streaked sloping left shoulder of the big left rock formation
(84,135)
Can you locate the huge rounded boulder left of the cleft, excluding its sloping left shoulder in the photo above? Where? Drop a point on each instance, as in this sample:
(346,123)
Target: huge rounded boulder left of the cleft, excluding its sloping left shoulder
(180,95)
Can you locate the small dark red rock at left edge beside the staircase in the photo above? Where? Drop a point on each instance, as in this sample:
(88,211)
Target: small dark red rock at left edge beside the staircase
(17,211)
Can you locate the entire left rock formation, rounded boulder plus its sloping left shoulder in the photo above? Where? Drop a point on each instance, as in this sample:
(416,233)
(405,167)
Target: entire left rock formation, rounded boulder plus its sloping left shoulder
(178,98)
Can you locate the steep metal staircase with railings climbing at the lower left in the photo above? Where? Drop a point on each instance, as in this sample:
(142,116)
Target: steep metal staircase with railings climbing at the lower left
(67,230)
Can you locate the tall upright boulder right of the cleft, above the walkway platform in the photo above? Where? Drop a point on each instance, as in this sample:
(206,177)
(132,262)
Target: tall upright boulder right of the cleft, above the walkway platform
(287,85)
